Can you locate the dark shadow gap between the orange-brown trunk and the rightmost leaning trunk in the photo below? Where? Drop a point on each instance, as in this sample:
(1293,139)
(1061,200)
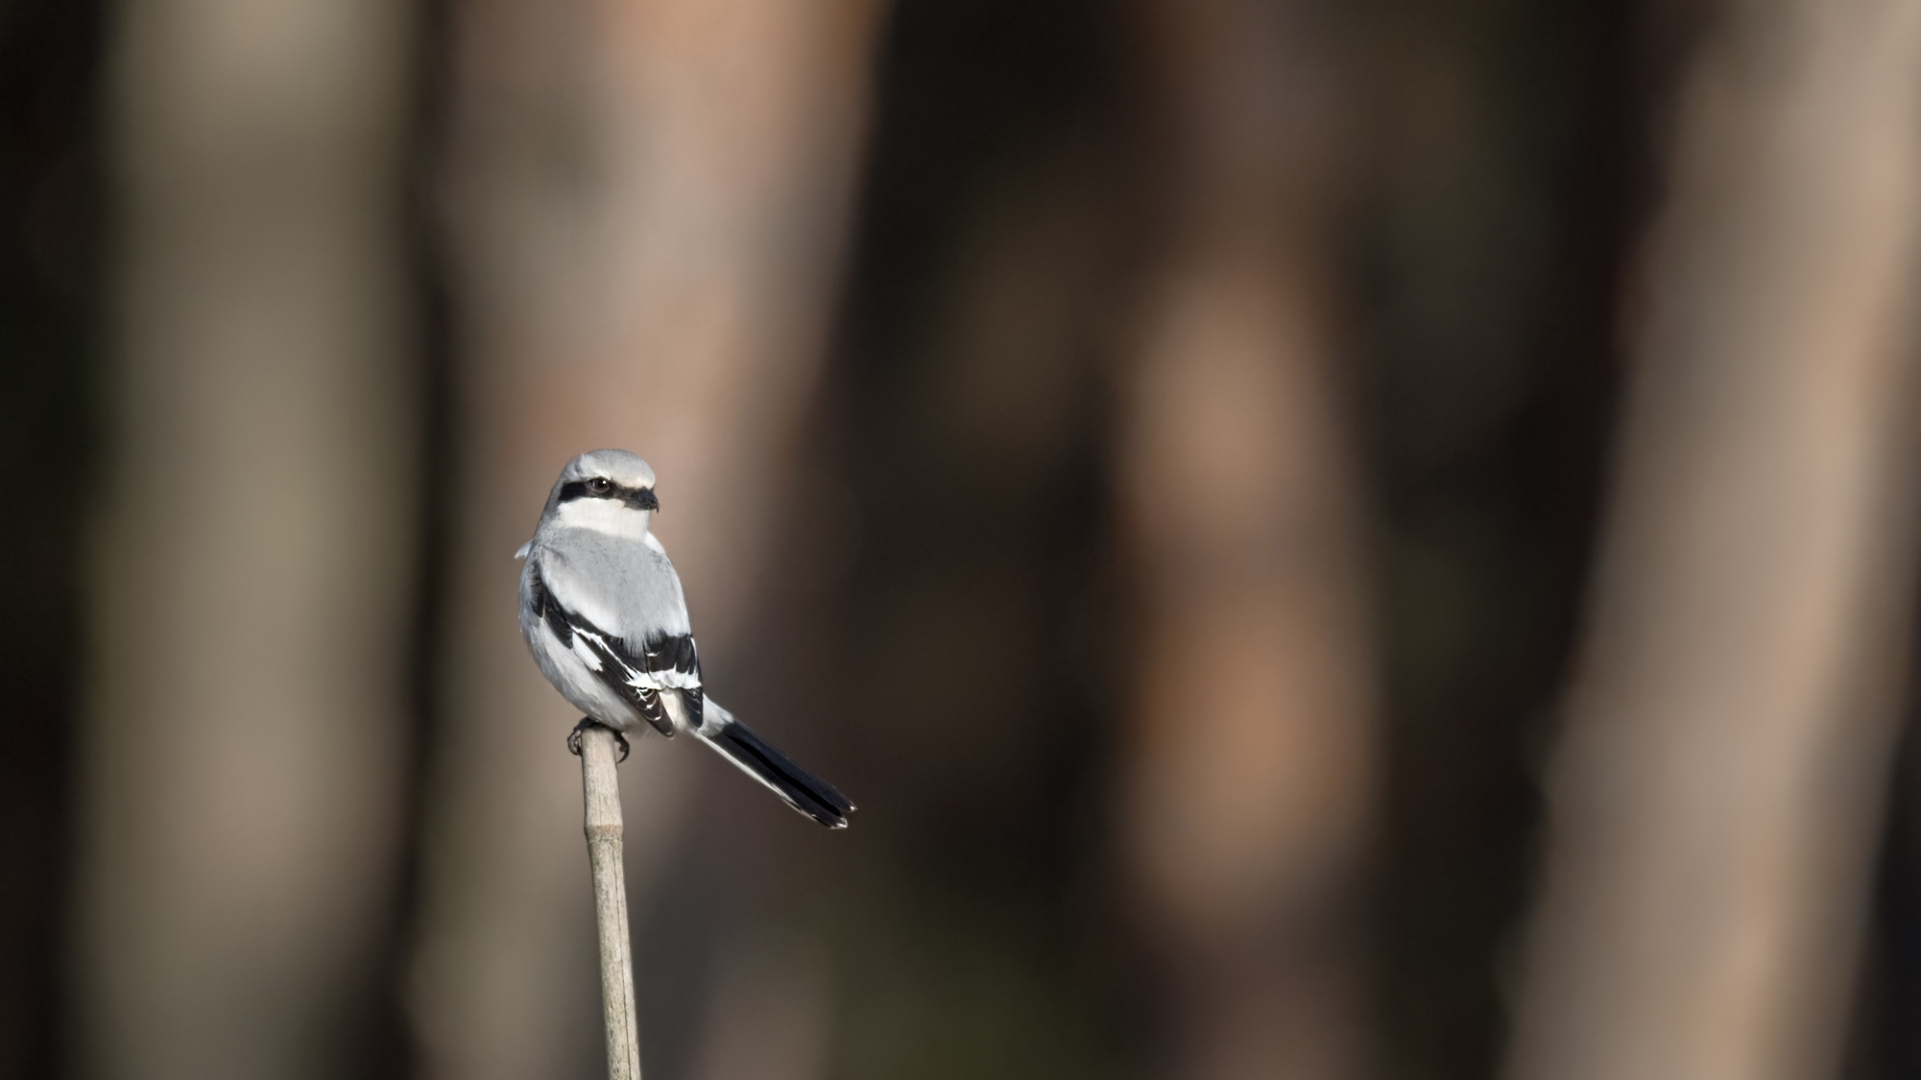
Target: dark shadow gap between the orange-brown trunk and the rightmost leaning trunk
(1490,331)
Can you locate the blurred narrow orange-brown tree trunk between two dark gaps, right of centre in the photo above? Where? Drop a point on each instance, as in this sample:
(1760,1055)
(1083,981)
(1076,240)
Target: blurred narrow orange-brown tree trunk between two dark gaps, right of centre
(1253,760)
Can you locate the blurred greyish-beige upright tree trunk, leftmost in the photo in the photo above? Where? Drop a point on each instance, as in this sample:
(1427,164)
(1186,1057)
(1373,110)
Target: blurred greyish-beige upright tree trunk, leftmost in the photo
(255,551)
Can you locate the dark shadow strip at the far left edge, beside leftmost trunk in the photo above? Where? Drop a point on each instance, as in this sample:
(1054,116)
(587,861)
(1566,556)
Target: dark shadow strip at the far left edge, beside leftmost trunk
(51,333)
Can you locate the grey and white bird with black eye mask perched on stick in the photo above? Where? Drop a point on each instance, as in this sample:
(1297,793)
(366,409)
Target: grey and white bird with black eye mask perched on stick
(608,624)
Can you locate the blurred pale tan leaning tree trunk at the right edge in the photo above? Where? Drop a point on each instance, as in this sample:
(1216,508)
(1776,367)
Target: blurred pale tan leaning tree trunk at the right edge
(1718,789)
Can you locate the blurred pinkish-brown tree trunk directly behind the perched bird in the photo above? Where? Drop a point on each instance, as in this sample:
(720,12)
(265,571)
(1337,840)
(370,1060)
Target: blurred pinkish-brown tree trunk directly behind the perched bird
(646,209)
